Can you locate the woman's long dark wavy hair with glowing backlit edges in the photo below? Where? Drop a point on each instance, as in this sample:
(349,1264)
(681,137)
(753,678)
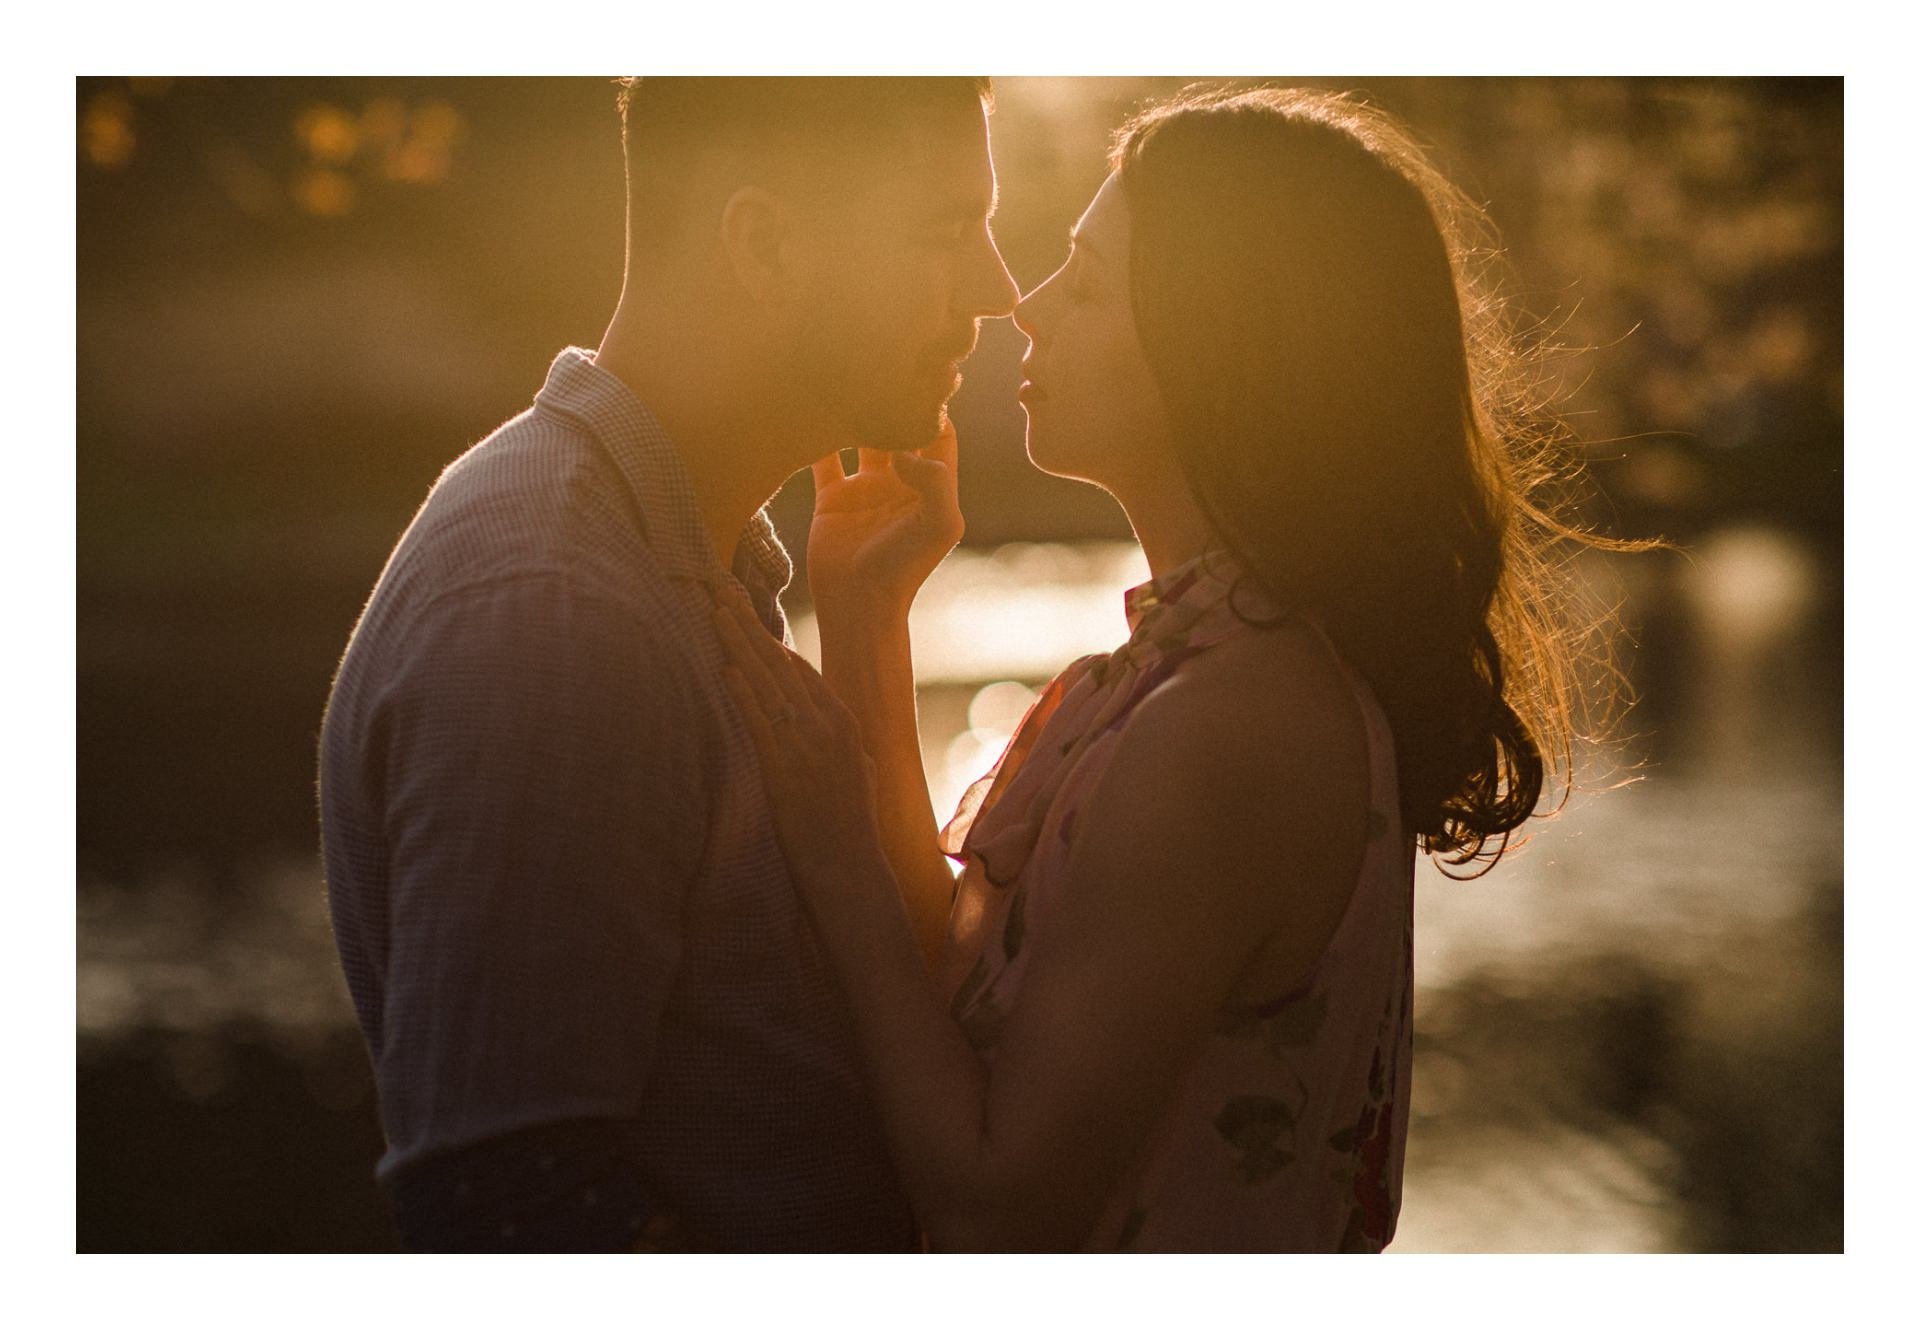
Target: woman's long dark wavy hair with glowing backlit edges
(1355,417)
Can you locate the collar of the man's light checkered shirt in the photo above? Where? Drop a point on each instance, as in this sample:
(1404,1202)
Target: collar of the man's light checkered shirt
(656,473)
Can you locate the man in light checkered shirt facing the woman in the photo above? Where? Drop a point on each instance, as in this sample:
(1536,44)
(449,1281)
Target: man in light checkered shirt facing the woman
(596,1012)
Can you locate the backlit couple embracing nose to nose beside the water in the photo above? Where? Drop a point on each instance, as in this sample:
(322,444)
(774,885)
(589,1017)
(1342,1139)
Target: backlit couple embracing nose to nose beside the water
(650,926)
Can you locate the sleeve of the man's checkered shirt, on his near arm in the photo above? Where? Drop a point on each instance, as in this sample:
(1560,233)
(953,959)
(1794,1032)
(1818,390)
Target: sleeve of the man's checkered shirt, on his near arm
(546,813)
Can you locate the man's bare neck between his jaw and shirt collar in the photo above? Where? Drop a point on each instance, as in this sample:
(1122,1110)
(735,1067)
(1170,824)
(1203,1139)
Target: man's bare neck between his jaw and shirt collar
(732,440)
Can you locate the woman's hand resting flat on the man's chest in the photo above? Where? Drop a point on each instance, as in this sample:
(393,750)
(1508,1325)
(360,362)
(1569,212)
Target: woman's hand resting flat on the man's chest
(819,778)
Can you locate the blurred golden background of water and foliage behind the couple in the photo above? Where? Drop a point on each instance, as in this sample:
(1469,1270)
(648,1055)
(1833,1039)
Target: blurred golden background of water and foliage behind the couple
(300,298)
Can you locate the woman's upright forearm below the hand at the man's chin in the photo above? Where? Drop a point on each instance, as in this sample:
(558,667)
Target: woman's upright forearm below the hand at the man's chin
(867,659)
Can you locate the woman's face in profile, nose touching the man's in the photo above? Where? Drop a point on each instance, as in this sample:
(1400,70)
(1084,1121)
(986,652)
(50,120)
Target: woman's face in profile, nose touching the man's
(1093,408)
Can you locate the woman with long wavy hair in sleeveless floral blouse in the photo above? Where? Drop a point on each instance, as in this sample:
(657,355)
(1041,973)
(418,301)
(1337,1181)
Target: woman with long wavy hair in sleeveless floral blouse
(1170,1003)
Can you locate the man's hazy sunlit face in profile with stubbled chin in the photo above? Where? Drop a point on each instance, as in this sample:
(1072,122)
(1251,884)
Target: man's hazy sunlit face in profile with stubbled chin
(901,268)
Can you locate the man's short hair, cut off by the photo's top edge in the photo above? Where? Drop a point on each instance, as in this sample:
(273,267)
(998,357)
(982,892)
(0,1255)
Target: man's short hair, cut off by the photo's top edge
(763,128)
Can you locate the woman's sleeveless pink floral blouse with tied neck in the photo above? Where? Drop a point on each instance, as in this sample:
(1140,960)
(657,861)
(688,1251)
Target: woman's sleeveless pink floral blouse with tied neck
(1289,1128)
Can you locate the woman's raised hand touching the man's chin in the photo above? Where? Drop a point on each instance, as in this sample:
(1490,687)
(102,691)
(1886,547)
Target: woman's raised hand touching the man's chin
(882,531)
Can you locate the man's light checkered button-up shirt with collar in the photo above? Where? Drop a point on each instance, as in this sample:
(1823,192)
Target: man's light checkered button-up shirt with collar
(554,876)
